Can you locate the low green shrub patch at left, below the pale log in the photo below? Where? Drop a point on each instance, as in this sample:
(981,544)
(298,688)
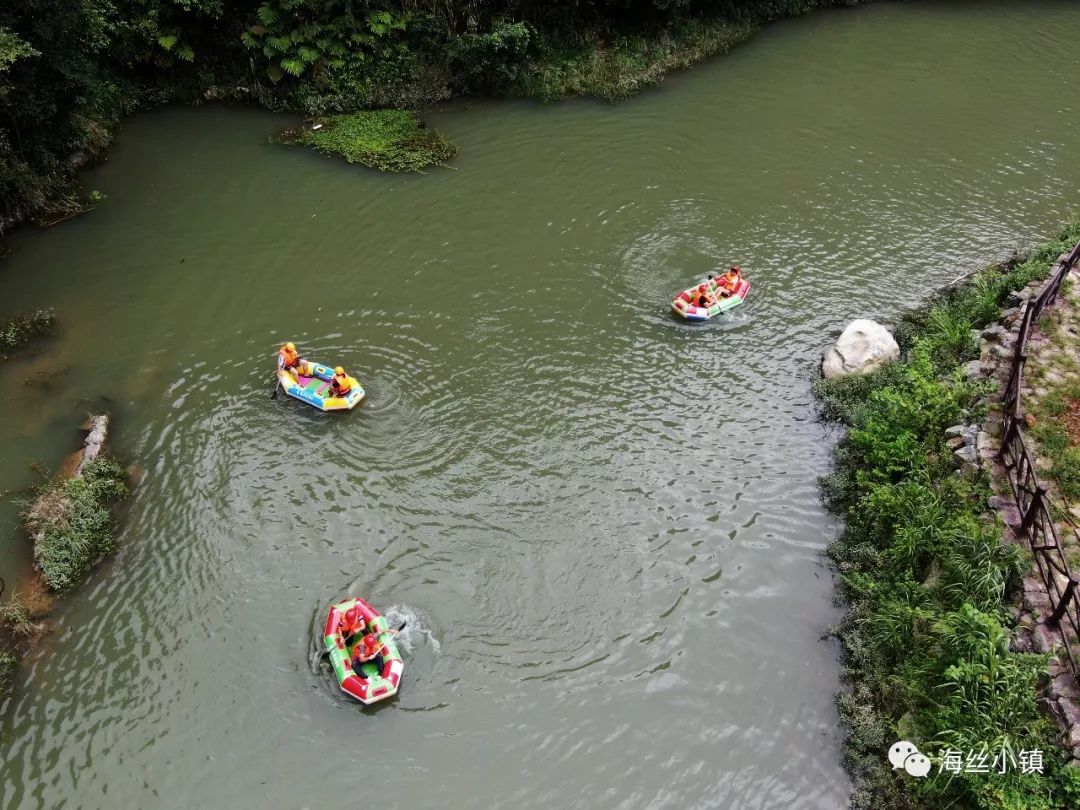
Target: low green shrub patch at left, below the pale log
(72,523)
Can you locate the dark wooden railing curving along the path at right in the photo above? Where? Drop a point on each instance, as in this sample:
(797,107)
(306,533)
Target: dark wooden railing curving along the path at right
(1037,525)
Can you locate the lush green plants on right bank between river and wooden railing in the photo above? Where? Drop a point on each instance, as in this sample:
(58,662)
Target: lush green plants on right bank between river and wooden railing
(924,572)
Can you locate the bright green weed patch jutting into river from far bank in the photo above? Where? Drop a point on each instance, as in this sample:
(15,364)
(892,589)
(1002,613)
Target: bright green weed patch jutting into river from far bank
(390,141)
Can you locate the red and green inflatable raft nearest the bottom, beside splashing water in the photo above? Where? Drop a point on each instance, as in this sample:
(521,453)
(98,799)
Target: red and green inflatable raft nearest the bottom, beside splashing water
(370,684)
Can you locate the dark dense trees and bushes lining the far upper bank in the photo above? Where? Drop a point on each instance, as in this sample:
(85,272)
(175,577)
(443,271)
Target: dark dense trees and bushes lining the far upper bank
(71,69)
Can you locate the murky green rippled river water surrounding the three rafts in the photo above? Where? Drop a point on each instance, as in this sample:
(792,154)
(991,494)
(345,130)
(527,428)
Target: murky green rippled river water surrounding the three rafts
(602,525)
